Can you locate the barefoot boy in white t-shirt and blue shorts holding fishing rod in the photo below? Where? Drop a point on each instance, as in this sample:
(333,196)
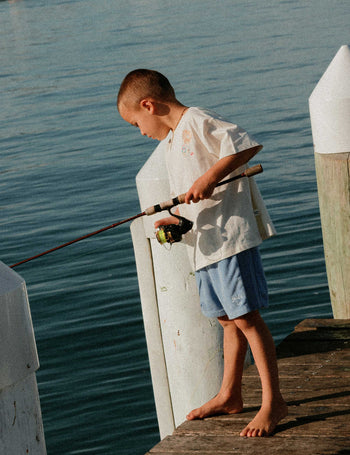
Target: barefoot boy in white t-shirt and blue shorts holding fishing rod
(202,149)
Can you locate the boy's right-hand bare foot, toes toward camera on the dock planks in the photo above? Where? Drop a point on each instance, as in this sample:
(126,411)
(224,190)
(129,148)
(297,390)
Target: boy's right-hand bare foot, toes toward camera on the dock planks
(266,420)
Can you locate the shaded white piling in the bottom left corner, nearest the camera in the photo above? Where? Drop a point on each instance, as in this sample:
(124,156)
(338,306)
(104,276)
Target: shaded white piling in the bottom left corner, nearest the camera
(21,428)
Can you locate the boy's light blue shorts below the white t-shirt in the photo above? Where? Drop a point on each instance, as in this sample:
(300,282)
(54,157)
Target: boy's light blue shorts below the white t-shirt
(234,286)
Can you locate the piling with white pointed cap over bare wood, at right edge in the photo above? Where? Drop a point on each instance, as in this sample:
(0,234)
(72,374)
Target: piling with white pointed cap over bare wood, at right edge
(329,106)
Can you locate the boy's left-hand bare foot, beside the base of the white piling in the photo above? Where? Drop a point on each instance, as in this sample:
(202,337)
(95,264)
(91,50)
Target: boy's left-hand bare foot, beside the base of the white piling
(217,405)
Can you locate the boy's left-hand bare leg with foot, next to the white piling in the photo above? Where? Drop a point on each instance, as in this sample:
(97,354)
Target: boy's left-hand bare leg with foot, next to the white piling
(229,398)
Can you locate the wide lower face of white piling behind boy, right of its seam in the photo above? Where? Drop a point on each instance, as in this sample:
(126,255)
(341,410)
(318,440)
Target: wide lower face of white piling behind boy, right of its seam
(192,343)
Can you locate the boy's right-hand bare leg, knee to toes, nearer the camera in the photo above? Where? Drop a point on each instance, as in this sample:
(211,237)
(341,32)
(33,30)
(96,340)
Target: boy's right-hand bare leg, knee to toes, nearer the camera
(273,408)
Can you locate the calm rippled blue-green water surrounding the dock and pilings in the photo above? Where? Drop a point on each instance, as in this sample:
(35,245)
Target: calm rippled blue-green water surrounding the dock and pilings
(68,166)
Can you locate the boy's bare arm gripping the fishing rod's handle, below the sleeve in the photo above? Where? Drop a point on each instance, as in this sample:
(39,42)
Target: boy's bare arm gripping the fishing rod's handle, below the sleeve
(204,186)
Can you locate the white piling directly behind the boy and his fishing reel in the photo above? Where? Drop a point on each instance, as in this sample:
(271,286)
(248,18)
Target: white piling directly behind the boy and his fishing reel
(184,347)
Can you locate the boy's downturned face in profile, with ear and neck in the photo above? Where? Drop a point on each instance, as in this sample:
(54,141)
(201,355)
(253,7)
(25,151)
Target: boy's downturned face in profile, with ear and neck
(146,120)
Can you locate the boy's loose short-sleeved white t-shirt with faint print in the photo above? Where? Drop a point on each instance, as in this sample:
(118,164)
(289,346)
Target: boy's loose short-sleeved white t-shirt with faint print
(225,224)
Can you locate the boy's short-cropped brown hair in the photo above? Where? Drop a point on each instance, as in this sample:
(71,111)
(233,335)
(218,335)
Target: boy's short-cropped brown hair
(143,83)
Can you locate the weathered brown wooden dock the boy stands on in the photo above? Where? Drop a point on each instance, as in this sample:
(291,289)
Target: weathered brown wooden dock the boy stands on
(314,366)
